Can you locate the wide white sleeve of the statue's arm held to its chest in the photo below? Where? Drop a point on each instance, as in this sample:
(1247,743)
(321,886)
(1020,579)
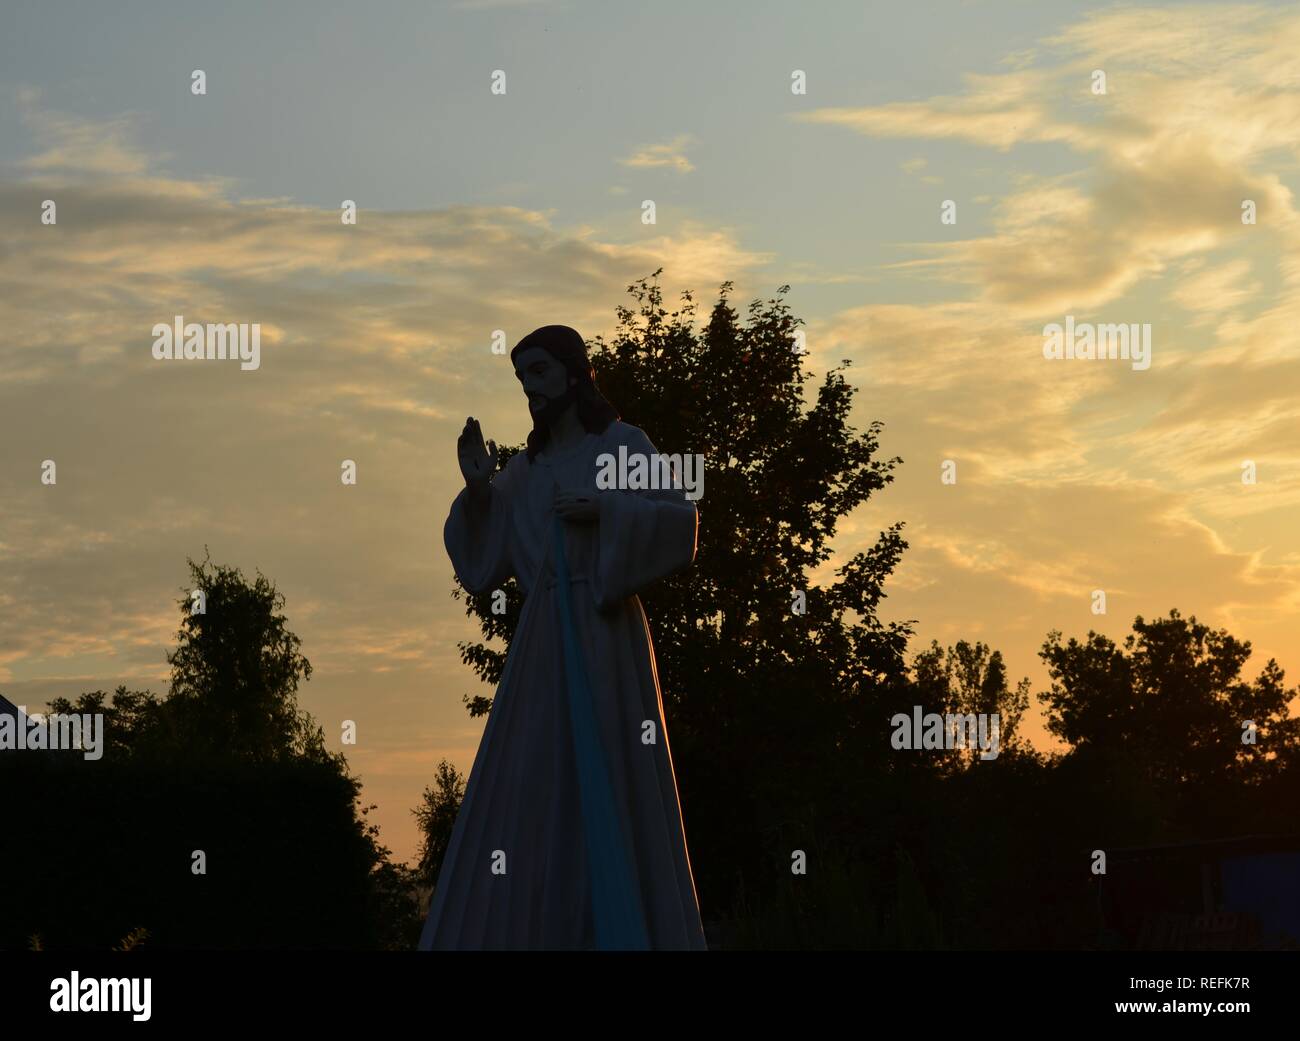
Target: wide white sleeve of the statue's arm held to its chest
(644,535)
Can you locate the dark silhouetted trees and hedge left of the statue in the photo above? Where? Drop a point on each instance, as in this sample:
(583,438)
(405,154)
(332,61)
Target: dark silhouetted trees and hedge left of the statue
(215,817)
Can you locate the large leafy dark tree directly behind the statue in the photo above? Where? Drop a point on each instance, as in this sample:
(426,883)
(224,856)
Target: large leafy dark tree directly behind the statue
(772,682)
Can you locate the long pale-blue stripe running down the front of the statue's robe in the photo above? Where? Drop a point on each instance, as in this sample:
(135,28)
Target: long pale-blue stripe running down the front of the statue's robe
(616,901)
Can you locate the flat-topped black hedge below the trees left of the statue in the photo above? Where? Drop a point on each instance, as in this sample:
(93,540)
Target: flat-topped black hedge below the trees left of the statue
(105,848)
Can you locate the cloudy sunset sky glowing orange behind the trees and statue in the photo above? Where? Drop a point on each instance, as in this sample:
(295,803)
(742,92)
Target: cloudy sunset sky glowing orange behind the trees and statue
(480,212)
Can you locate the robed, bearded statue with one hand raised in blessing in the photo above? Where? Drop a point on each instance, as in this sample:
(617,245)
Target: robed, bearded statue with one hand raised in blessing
(570,835)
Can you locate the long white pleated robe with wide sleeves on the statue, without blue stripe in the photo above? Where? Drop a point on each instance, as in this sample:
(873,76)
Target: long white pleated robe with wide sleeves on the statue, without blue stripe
(522,808)
